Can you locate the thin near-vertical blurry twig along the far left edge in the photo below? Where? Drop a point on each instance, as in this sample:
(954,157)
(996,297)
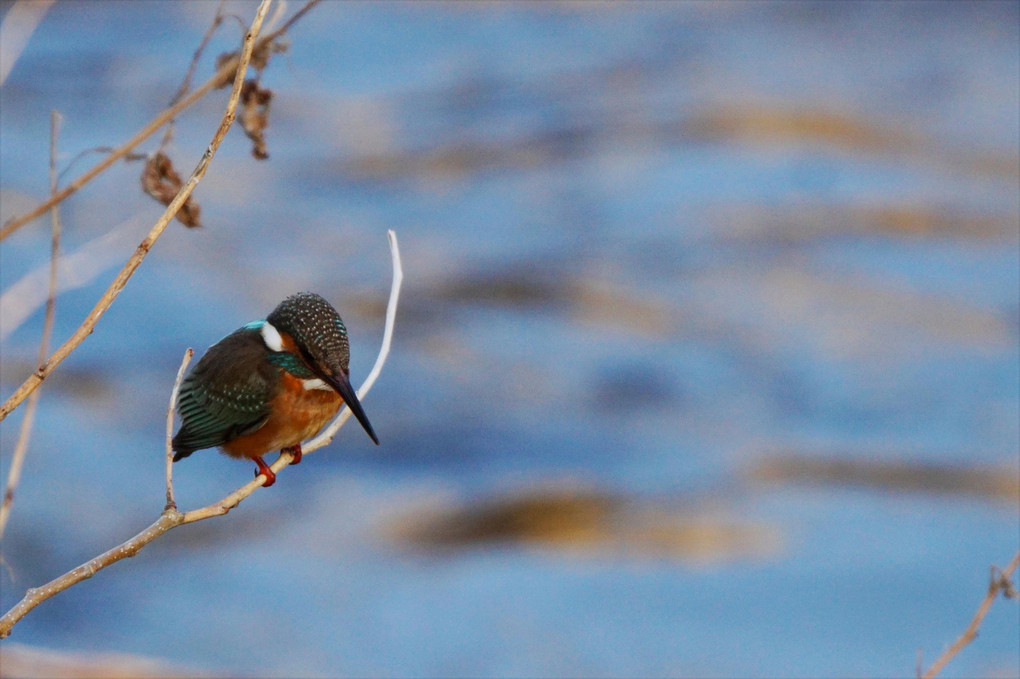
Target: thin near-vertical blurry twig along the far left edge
(25,434)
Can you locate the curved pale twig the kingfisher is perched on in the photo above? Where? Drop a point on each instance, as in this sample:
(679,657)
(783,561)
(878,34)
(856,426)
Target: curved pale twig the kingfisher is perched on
(171,517)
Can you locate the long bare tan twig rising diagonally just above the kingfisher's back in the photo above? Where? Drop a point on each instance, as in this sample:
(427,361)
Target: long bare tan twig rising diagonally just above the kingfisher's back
(119,284)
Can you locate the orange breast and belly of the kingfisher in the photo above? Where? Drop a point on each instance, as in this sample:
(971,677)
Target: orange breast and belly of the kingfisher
(297,414)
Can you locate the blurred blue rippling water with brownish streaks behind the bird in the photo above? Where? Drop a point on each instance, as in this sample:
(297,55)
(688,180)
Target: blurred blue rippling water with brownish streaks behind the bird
(706,364)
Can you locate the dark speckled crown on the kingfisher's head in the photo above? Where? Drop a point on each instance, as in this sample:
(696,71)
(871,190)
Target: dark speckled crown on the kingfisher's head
(315,325)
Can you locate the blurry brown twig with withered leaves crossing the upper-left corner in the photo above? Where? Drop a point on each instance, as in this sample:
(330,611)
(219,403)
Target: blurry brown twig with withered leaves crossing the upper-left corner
(225,72)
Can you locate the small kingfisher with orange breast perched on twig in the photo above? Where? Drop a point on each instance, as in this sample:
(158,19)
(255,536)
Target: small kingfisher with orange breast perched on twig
(270,386)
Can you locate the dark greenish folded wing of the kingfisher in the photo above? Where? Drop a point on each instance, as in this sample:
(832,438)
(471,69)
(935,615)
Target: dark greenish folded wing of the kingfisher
(228,394)
